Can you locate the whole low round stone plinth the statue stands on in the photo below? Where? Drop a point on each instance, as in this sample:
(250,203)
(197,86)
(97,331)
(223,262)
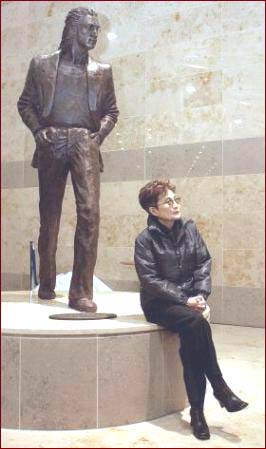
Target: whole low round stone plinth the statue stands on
(61,375)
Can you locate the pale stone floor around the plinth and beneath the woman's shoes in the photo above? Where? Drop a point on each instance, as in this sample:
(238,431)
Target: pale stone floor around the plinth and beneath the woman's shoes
(241,354)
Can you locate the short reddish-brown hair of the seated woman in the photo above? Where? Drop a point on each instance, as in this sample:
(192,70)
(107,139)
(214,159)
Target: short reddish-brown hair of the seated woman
(150,193)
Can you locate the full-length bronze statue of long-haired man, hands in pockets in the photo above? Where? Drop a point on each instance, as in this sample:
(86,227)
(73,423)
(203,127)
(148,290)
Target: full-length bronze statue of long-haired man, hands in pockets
(69,105)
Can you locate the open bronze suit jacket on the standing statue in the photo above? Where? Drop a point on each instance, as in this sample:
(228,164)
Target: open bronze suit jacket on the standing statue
(36,100)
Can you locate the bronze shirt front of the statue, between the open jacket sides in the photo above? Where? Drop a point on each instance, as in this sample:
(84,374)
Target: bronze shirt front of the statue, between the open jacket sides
(70,106)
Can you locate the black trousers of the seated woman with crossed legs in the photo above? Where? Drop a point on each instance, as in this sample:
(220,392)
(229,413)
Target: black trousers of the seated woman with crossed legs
(197,349)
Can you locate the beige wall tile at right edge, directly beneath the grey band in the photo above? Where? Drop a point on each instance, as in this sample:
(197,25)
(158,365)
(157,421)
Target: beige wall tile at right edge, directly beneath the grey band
(241,191)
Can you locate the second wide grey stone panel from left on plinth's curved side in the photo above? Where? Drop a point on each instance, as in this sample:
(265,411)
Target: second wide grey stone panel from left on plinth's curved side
(146,348)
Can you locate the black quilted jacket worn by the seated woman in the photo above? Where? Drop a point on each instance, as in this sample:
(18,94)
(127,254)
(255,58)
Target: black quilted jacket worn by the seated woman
(171,265)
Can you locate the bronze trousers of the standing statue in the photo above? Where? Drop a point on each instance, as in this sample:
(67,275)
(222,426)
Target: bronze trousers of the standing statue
(71,150)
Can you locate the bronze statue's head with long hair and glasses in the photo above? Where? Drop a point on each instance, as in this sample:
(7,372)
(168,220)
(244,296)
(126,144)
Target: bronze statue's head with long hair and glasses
(82,27)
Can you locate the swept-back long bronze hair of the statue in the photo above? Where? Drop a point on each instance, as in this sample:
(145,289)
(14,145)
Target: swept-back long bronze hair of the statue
(69,31)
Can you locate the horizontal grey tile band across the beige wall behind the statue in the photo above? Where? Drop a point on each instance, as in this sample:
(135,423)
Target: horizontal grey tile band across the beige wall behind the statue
(229,157)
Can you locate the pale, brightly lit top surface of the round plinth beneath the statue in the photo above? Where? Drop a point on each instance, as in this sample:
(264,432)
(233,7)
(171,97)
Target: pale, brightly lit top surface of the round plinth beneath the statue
(26,314)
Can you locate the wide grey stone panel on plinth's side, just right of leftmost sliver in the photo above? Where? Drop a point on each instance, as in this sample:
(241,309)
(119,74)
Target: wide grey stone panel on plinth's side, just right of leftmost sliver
(49,390)
